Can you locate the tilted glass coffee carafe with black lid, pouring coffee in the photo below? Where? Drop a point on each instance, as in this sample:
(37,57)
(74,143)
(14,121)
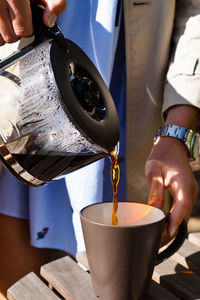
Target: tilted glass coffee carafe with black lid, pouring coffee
(57,114)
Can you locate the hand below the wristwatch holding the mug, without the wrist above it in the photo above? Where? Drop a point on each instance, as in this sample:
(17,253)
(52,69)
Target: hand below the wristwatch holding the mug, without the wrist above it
(171,170)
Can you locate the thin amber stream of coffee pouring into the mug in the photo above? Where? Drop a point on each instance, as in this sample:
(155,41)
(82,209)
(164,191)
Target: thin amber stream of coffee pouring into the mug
(115,175)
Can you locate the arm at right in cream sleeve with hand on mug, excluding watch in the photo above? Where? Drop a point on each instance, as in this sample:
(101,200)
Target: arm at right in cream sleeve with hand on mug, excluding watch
(168,166)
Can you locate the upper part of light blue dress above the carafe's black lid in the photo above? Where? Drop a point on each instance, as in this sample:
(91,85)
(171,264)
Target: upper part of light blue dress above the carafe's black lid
(91,25)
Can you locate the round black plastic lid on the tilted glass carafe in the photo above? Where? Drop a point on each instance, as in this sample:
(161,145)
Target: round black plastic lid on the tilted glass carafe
(85,94)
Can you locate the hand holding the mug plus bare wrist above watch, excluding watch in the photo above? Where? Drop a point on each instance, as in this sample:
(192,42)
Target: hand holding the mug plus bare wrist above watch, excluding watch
(167,167)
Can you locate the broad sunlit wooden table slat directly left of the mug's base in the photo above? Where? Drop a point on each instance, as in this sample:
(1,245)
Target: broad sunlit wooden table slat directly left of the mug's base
(72,282)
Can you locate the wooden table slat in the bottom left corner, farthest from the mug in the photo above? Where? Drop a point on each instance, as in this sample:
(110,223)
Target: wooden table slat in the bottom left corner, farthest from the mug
(30,287)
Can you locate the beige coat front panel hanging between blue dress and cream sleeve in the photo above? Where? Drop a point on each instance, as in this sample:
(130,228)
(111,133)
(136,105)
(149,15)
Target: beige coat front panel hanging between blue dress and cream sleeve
(148,29)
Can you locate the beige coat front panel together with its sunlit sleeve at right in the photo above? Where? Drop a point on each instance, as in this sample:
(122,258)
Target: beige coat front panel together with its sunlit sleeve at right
(148,28)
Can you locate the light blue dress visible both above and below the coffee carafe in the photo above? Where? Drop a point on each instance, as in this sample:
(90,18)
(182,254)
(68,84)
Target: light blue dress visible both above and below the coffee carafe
(91,24)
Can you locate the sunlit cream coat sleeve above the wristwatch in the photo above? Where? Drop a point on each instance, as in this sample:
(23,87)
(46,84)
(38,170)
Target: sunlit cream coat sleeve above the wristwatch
(183,76)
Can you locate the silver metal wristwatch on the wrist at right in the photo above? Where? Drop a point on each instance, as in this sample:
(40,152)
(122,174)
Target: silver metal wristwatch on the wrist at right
(190,138)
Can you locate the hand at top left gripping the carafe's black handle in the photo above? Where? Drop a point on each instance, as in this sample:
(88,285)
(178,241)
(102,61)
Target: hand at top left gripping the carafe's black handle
(16,17)
